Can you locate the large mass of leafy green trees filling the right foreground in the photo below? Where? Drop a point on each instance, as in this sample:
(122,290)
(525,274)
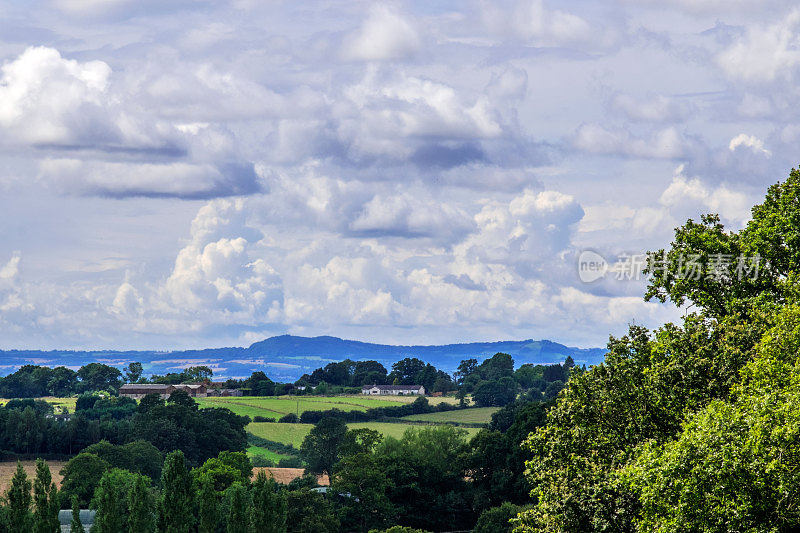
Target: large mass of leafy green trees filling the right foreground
(694,426)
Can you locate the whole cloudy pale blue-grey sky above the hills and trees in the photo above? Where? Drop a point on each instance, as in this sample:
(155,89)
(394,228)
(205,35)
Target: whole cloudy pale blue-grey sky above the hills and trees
(199,174)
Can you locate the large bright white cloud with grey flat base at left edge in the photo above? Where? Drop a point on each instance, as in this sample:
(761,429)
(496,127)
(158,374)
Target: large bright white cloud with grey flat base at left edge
(114,148)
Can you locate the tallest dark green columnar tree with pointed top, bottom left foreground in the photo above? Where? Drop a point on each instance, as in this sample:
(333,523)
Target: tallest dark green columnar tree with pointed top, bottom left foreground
(175,513)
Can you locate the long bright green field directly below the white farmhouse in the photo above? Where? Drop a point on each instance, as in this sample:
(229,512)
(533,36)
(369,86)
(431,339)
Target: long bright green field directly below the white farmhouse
(276,406)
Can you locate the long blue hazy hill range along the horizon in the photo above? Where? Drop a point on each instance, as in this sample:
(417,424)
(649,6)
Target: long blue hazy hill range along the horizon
(287,357)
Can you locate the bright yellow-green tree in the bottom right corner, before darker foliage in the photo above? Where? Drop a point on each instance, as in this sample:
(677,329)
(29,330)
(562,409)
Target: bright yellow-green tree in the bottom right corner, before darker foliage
(734,467)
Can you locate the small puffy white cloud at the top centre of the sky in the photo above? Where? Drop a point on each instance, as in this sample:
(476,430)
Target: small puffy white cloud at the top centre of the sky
(385,34)
